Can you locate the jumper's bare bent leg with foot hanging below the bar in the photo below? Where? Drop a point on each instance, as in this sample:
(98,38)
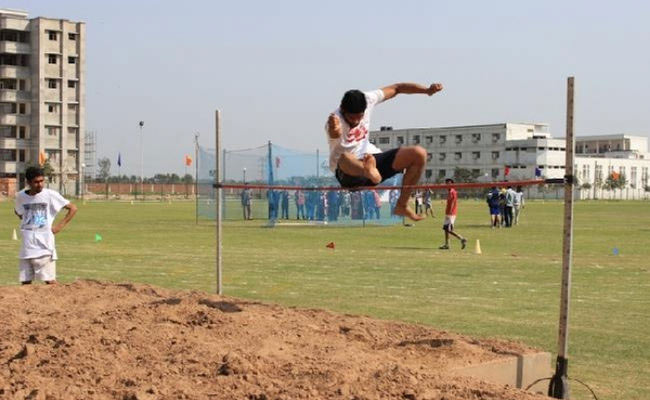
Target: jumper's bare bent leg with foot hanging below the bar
(412,159)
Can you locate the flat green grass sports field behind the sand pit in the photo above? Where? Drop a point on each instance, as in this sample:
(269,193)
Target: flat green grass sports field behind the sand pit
(510,291)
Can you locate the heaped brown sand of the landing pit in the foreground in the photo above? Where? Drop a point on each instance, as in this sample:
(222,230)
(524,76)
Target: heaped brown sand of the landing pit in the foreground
(94,340)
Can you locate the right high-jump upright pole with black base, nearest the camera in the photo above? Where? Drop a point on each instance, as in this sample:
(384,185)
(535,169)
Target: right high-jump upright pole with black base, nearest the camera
(559,386)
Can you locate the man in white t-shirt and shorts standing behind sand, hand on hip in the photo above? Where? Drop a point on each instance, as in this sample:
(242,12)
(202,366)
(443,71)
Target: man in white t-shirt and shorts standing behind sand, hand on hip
(37,208)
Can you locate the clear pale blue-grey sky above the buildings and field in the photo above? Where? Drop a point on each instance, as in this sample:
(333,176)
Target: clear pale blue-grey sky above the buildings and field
(277,68)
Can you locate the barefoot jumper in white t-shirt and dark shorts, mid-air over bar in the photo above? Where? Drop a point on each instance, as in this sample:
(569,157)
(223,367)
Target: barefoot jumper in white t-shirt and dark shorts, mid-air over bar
(356,162)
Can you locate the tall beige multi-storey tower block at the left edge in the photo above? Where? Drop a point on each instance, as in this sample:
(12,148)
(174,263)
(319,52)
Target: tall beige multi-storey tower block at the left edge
(42,97)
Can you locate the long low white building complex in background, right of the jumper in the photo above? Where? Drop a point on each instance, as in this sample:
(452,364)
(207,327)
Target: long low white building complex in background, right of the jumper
(525,150)
